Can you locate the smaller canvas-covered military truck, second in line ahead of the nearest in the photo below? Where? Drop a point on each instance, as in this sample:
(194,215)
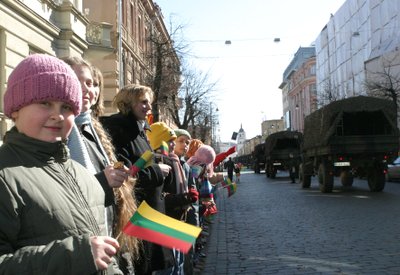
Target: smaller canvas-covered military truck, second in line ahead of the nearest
(282,152)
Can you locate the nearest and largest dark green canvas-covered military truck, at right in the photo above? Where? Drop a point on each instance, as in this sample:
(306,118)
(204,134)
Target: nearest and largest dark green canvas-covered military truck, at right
(351,137)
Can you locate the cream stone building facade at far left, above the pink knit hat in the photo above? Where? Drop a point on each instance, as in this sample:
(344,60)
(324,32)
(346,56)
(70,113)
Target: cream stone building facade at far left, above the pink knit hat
(31,26)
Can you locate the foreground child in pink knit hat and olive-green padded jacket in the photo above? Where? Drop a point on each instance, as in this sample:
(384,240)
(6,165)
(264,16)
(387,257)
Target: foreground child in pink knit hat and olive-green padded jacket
(51,207)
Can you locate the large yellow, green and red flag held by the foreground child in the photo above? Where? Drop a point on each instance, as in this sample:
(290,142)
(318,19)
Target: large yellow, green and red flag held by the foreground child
(153,226)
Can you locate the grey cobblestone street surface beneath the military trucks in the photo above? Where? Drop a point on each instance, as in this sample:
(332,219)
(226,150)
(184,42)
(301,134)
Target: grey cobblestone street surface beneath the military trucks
(275,227)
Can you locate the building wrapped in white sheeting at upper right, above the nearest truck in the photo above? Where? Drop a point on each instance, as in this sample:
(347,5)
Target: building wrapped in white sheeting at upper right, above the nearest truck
(359,39)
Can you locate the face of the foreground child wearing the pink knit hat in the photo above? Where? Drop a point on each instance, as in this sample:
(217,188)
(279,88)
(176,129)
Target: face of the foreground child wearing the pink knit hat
(48,121)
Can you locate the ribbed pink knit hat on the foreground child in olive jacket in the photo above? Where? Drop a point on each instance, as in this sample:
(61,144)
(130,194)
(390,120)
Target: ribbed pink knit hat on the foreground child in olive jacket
(42,77)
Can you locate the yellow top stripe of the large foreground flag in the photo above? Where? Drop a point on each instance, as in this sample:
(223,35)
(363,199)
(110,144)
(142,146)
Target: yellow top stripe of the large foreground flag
(152,215)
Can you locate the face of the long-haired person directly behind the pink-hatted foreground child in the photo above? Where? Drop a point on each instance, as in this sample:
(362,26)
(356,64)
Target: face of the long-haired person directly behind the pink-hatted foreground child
(89,93)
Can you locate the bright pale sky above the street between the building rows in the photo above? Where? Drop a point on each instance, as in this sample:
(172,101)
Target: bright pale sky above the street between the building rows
(249,71)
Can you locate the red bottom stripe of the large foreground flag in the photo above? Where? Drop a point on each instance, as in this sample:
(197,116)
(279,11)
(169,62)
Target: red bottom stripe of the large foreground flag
(157,237)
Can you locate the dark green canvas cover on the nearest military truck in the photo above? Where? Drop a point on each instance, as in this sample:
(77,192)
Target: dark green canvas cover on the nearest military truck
(355,116)
